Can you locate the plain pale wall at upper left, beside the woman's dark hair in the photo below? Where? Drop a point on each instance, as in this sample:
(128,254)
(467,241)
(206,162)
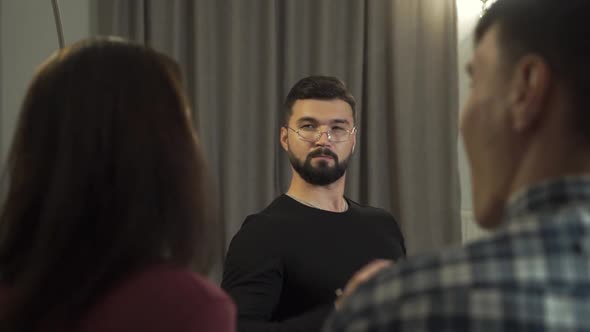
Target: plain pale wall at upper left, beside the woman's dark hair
(27,37)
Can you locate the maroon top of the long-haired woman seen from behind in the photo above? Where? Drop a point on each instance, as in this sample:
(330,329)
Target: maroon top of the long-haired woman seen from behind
(160,298)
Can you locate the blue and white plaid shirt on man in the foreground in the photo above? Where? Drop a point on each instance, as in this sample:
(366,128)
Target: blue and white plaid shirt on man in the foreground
(533,274)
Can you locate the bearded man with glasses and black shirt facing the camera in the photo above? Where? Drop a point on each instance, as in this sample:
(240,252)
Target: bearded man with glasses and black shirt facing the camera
(287,264)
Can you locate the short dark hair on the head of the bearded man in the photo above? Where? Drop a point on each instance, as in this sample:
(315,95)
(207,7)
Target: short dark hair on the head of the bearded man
(318,87)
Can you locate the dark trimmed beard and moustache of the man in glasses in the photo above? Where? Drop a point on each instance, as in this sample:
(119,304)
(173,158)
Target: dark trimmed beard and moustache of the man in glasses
(322,174)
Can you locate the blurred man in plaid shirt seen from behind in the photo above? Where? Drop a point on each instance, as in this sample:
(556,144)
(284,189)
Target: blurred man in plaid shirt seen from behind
(526,127)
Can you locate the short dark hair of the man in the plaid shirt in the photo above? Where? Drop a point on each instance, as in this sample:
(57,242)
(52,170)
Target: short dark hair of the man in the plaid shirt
(557,31)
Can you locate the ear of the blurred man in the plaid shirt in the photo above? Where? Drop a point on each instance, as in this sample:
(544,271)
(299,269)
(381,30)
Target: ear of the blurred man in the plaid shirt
(529,89)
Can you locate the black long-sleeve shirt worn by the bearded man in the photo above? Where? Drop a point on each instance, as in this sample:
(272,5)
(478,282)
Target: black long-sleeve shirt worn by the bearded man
(286,262)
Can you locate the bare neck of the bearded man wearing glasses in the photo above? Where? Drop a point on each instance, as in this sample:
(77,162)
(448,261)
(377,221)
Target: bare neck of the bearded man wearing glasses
(329,197)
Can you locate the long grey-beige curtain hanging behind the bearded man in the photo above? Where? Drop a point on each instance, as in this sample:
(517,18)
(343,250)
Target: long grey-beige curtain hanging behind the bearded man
(241,57)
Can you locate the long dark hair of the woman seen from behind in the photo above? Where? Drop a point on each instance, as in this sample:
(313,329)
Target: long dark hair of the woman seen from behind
(104,177)
